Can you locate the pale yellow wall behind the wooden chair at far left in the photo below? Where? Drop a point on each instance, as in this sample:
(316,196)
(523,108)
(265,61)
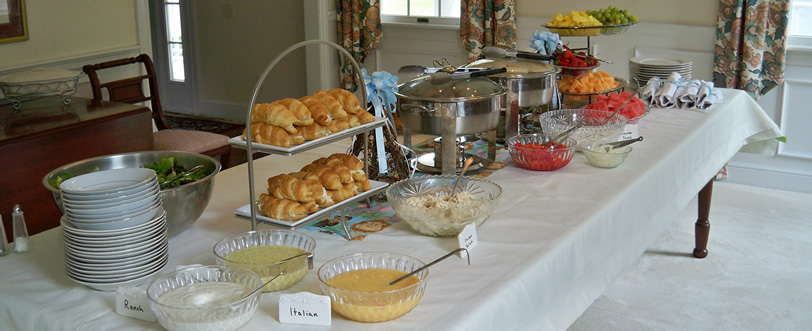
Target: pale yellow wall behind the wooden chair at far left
(70,34)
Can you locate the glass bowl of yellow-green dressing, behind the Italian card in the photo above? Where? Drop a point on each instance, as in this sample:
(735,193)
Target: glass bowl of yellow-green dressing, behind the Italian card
(269,252)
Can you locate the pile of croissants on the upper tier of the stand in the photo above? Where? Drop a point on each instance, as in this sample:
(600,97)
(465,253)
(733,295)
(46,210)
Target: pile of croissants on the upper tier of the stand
(289,121)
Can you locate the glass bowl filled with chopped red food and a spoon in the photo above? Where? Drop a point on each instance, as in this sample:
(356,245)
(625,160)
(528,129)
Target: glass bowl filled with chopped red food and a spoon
(530,151)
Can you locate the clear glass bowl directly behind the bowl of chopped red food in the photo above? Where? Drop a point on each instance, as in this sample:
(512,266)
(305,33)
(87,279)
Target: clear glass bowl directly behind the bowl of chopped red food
(556,121)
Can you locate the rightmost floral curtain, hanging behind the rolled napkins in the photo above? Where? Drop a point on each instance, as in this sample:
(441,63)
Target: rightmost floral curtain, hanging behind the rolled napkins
(750,52)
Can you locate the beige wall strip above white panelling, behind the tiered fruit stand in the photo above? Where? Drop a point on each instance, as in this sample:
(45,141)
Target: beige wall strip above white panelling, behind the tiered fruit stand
(686,12)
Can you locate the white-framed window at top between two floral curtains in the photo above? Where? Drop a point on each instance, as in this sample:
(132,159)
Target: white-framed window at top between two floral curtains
(421,11)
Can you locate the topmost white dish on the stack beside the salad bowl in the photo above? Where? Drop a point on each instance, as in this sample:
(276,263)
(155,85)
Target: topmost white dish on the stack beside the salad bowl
(107,181)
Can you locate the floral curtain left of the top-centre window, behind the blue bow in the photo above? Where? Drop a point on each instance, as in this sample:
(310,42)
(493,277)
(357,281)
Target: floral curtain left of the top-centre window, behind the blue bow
(358,24)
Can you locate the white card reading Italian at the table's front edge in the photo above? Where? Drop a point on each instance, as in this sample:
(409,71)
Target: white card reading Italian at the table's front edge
(304,308)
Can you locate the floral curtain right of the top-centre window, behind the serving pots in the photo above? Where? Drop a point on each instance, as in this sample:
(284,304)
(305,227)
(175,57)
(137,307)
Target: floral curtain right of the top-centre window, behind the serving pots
(487,23)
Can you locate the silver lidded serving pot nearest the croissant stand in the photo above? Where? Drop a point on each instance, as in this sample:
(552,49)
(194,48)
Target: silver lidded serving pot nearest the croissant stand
(465,106)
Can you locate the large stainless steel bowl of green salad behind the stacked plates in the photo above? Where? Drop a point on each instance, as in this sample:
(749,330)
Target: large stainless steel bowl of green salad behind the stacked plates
(184,203)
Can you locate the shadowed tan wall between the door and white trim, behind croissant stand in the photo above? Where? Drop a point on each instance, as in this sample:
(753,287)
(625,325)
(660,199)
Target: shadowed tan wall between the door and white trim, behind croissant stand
(235,41)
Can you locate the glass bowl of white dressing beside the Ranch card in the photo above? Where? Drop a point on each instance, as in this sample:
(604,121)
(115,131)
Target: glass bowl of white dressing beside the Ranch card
(205,298)
